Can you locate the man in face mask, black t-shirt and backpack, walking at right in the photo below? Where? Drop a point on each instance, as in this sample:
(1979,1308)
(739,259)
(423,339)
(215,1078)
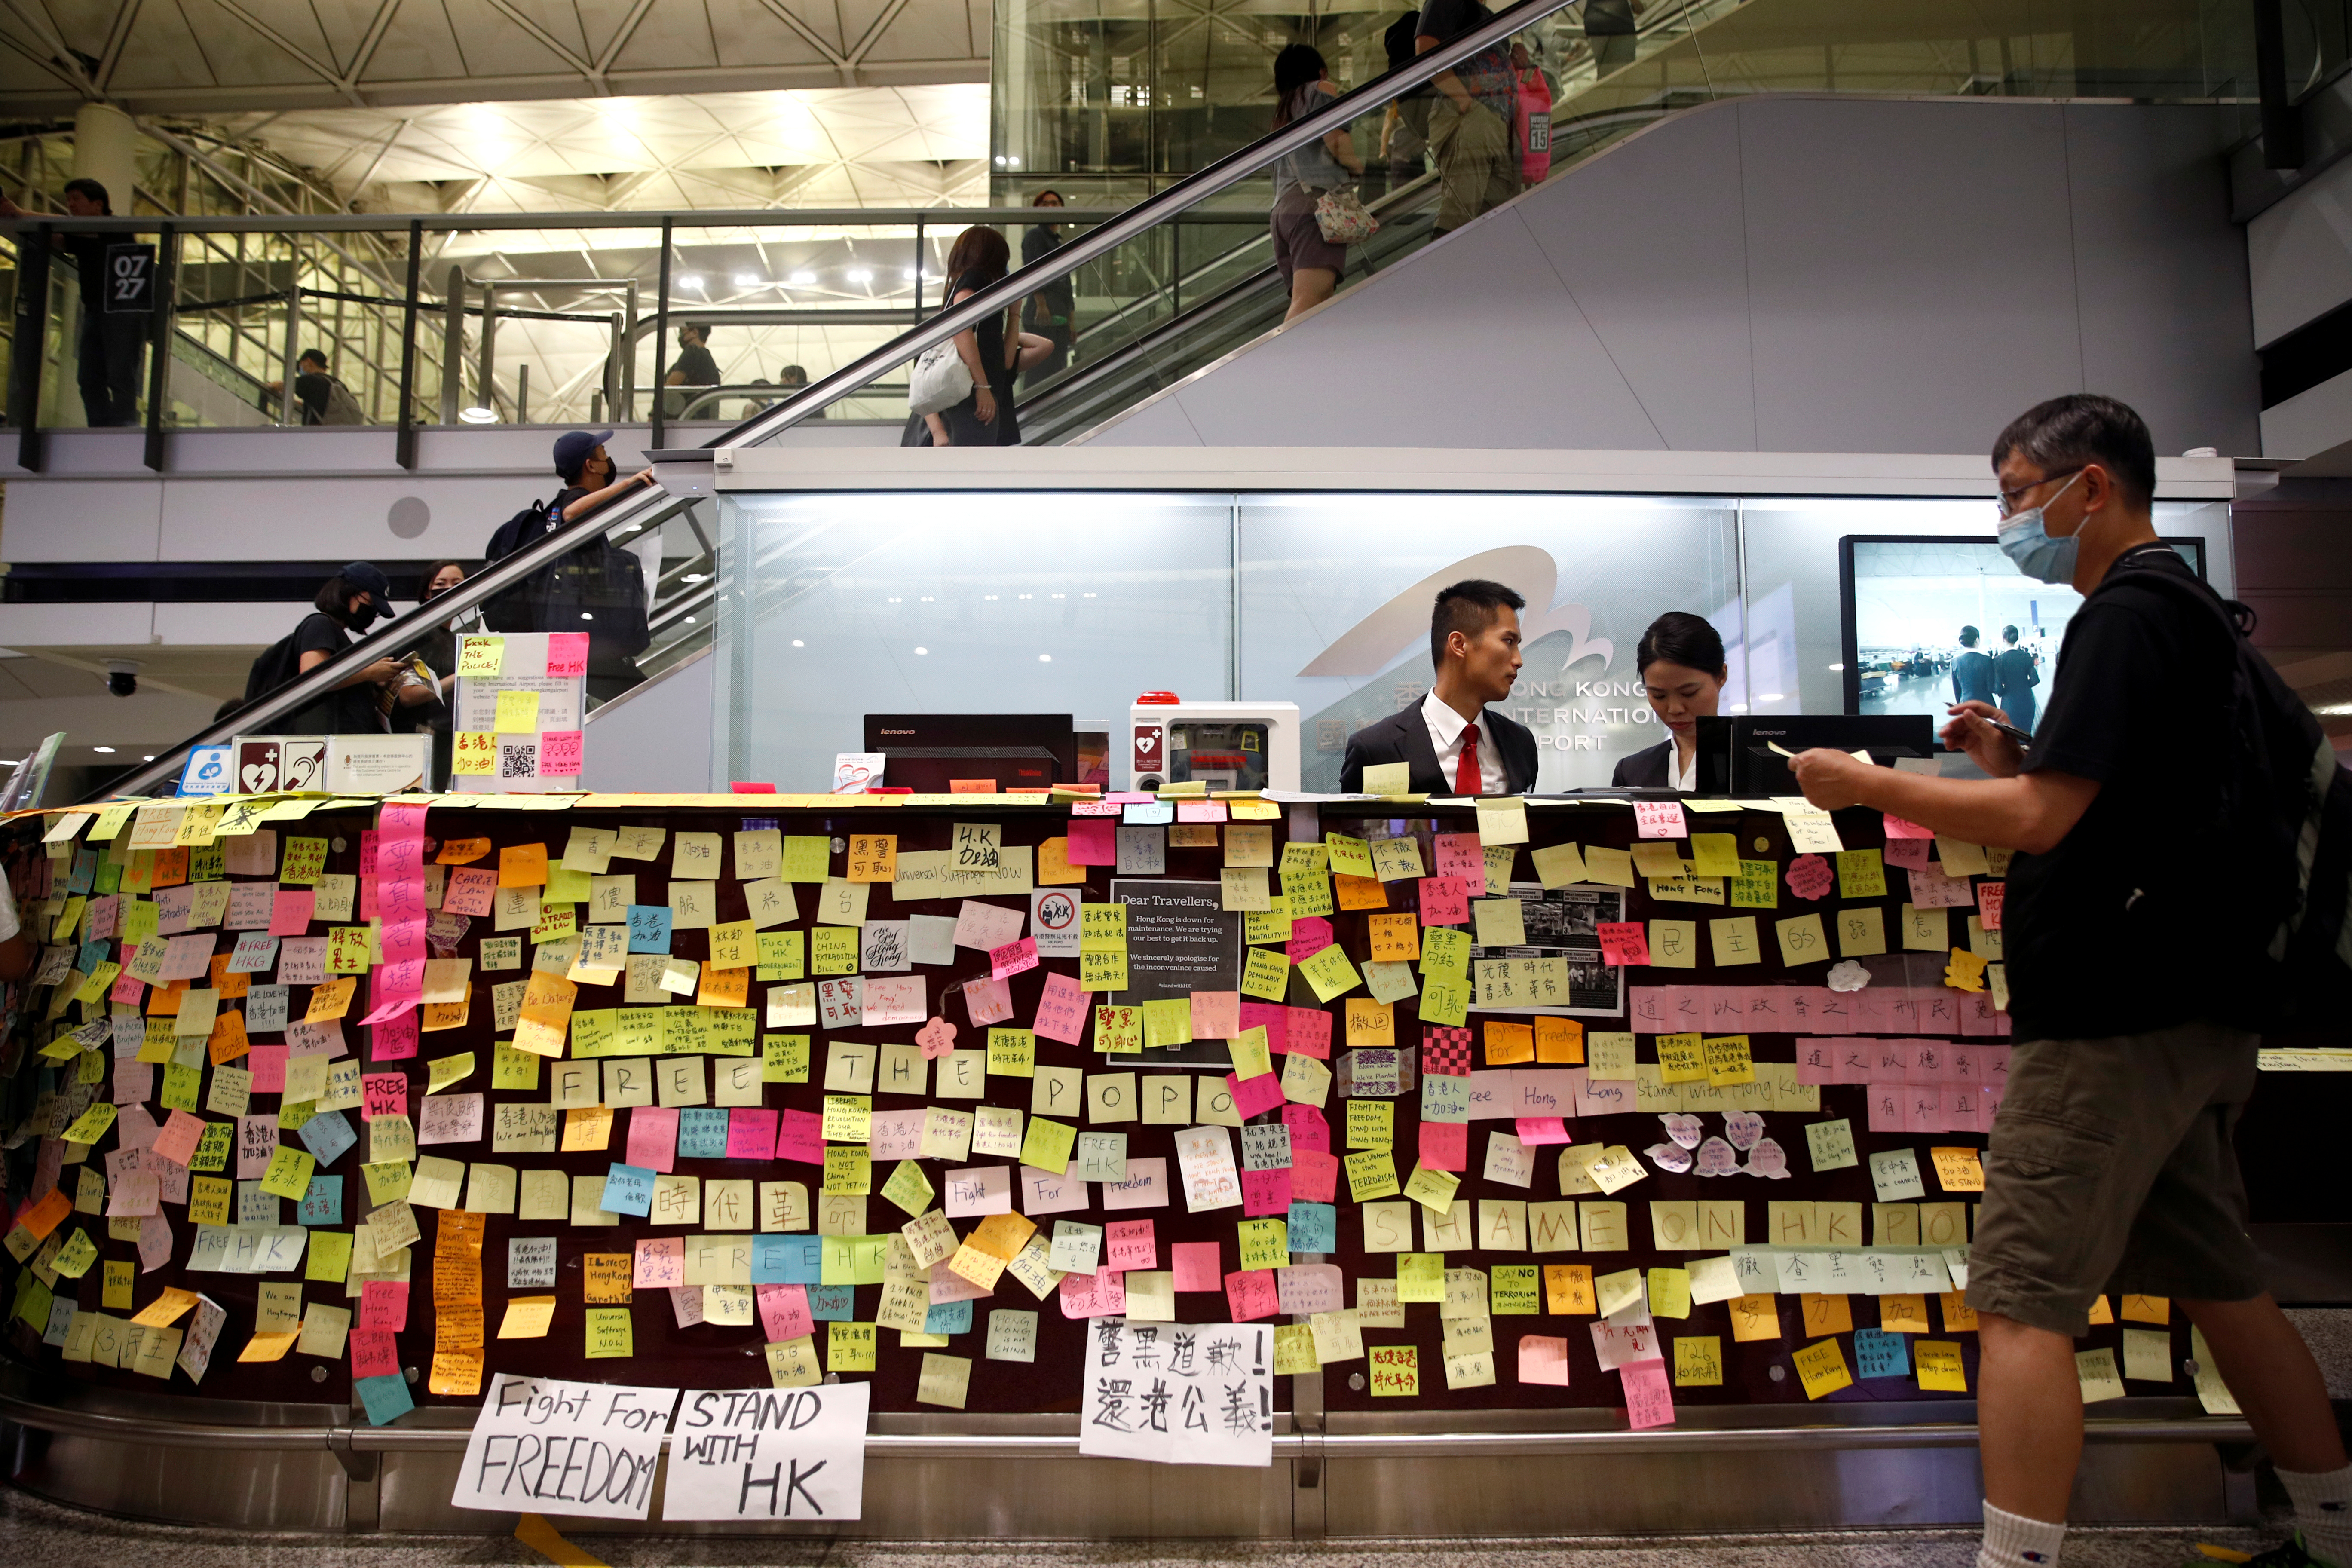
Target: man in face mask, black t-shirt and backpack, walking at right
(2156,808)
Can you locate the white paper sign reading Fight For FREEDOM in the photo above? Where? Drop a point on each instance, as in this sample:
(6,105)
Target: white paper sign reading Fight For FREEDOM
(547,1447)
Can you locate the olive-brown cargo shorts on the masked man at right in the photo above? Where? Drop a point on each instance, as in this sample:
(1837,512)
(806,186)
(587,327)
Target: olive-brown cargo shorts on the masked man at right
(2111,1167)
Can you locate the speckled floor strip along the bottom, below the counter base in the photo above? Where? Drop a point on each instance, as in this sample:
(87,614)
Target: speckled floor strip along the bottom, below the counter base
(34,1532)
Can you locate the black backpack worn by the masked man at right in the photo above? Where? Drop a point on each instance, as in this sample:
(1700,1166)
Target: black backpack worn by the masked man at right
(2283,843)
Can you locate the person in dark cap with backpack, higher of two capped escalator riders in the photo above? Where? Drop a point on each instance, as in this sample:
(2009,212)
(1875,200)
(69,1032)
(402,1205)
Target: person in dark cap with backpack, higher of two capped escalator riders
(596,589)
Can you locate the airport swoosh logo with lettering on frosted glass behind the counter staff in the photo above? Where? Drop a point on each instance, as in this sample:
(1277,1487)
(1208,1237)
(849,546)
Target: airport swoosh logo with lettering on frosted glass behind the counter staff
(1568,692)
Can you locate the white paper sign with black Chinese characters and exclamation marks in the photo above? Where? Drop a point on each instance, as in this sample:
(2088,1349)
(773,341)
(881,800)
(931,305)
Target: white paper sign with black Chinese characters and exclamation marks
(1180,1393)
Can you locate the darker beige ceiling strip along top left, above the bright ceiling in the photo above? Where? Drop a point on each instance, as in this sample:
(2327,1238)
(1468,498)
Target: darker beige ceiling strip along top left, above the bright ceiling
(201,58)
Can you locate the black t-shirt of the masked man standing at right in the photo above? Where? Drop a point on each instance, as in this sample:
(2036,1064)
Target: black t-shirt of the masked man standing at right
(2113,930)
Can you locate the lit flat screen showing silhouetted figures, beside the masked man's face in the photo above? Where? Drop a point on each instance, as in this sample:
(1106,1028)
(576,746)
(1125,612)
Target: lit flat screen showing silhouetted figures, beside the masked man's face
(1930,622)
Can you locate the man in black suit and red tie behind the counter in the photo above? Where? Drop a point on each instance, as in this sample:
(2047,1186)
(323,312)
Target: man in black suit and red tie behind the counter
(1452,742)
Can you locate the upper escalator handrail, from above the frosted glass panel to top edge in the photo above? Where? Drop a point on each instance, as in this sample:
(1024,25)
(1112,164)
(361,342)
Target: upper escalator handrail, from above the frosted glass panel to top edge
(1097,243)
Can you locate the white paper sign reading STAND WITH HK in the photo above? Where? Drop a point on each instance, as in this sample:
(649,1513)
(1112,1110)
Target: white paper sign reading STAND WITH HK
(770,1454)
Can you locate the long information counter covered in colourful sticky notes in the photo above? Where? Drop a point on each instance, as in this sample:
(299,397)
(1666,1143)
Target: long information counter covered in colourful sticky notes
(1589,1165)
